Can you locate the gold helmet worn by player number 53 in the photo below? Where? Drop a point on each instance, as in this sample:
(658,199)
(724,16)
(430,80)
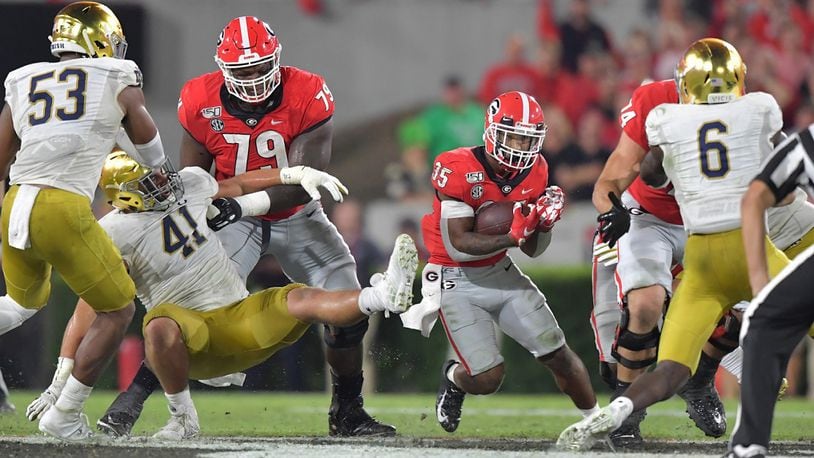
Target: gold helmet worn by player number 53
(88,28)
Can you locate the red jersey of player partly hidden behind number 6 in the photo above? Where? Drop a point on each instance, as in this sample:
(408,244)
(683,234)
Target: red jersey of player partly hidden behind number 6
(659,202)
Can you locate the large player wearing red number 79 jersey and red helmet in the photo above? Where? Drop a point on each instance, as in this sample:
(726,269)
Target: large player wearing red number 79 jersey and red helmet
(255,113)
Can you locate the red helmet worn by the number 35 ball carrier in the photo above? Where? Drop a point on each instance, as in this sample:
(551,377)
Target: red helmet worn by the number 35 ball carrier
(514,130)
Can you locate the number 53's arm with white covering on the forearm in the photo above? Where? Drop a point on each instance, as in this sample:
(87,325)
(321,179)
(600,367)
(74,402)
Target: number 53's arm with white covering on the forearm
(140,127)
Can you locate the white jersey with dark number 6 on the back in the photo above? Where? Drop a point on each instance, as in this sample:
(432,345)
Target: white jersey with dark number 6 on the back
(712,153)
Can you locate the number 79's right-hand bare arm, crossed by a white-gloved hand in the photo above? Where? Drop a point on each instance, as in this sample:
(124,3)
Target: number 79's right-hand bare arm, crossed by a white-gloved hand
(312,149)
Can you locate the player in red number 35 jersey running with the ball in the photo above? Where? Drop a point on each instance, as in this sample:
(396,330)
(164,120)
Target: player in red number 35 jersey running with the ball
(470,278)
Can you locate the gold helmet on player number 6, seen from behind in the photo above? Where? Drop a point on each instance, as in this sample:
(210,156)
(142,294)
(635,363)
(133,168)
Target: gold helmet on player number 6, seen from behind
(711,71)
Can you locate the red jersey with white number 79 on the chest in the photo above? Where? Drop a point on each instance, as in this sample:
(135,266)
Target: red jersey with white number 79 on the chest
(241,141)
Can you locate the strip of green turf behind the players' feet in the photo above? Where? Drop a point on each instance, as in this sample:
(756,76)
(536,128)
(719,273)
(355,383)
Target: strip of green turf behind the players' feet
(510,416)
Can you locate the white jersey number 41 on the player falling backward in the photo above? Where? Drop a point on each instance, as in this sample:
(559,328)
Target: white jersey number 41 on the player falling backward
(172,255)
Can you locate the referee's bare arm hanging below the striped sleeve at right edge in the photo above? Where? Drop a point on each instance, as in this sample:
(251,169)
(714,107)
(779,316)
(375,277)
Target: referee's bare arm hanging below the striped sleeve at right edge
(753,210)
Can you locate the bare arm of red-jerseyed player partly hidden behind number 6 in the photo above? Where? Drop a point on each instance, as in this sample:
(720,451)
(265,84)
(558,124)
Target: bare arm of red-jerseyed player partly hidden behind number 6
(620,170)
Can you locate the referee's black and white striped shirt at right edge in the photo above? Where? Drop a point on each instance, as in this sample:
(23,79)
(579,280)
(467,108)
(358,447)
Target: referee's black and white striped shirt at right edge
(791,164)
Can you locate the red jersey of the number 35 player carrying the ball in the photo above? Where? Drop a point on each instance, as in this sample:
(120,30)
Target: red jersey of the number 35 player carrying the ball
(464,174)
